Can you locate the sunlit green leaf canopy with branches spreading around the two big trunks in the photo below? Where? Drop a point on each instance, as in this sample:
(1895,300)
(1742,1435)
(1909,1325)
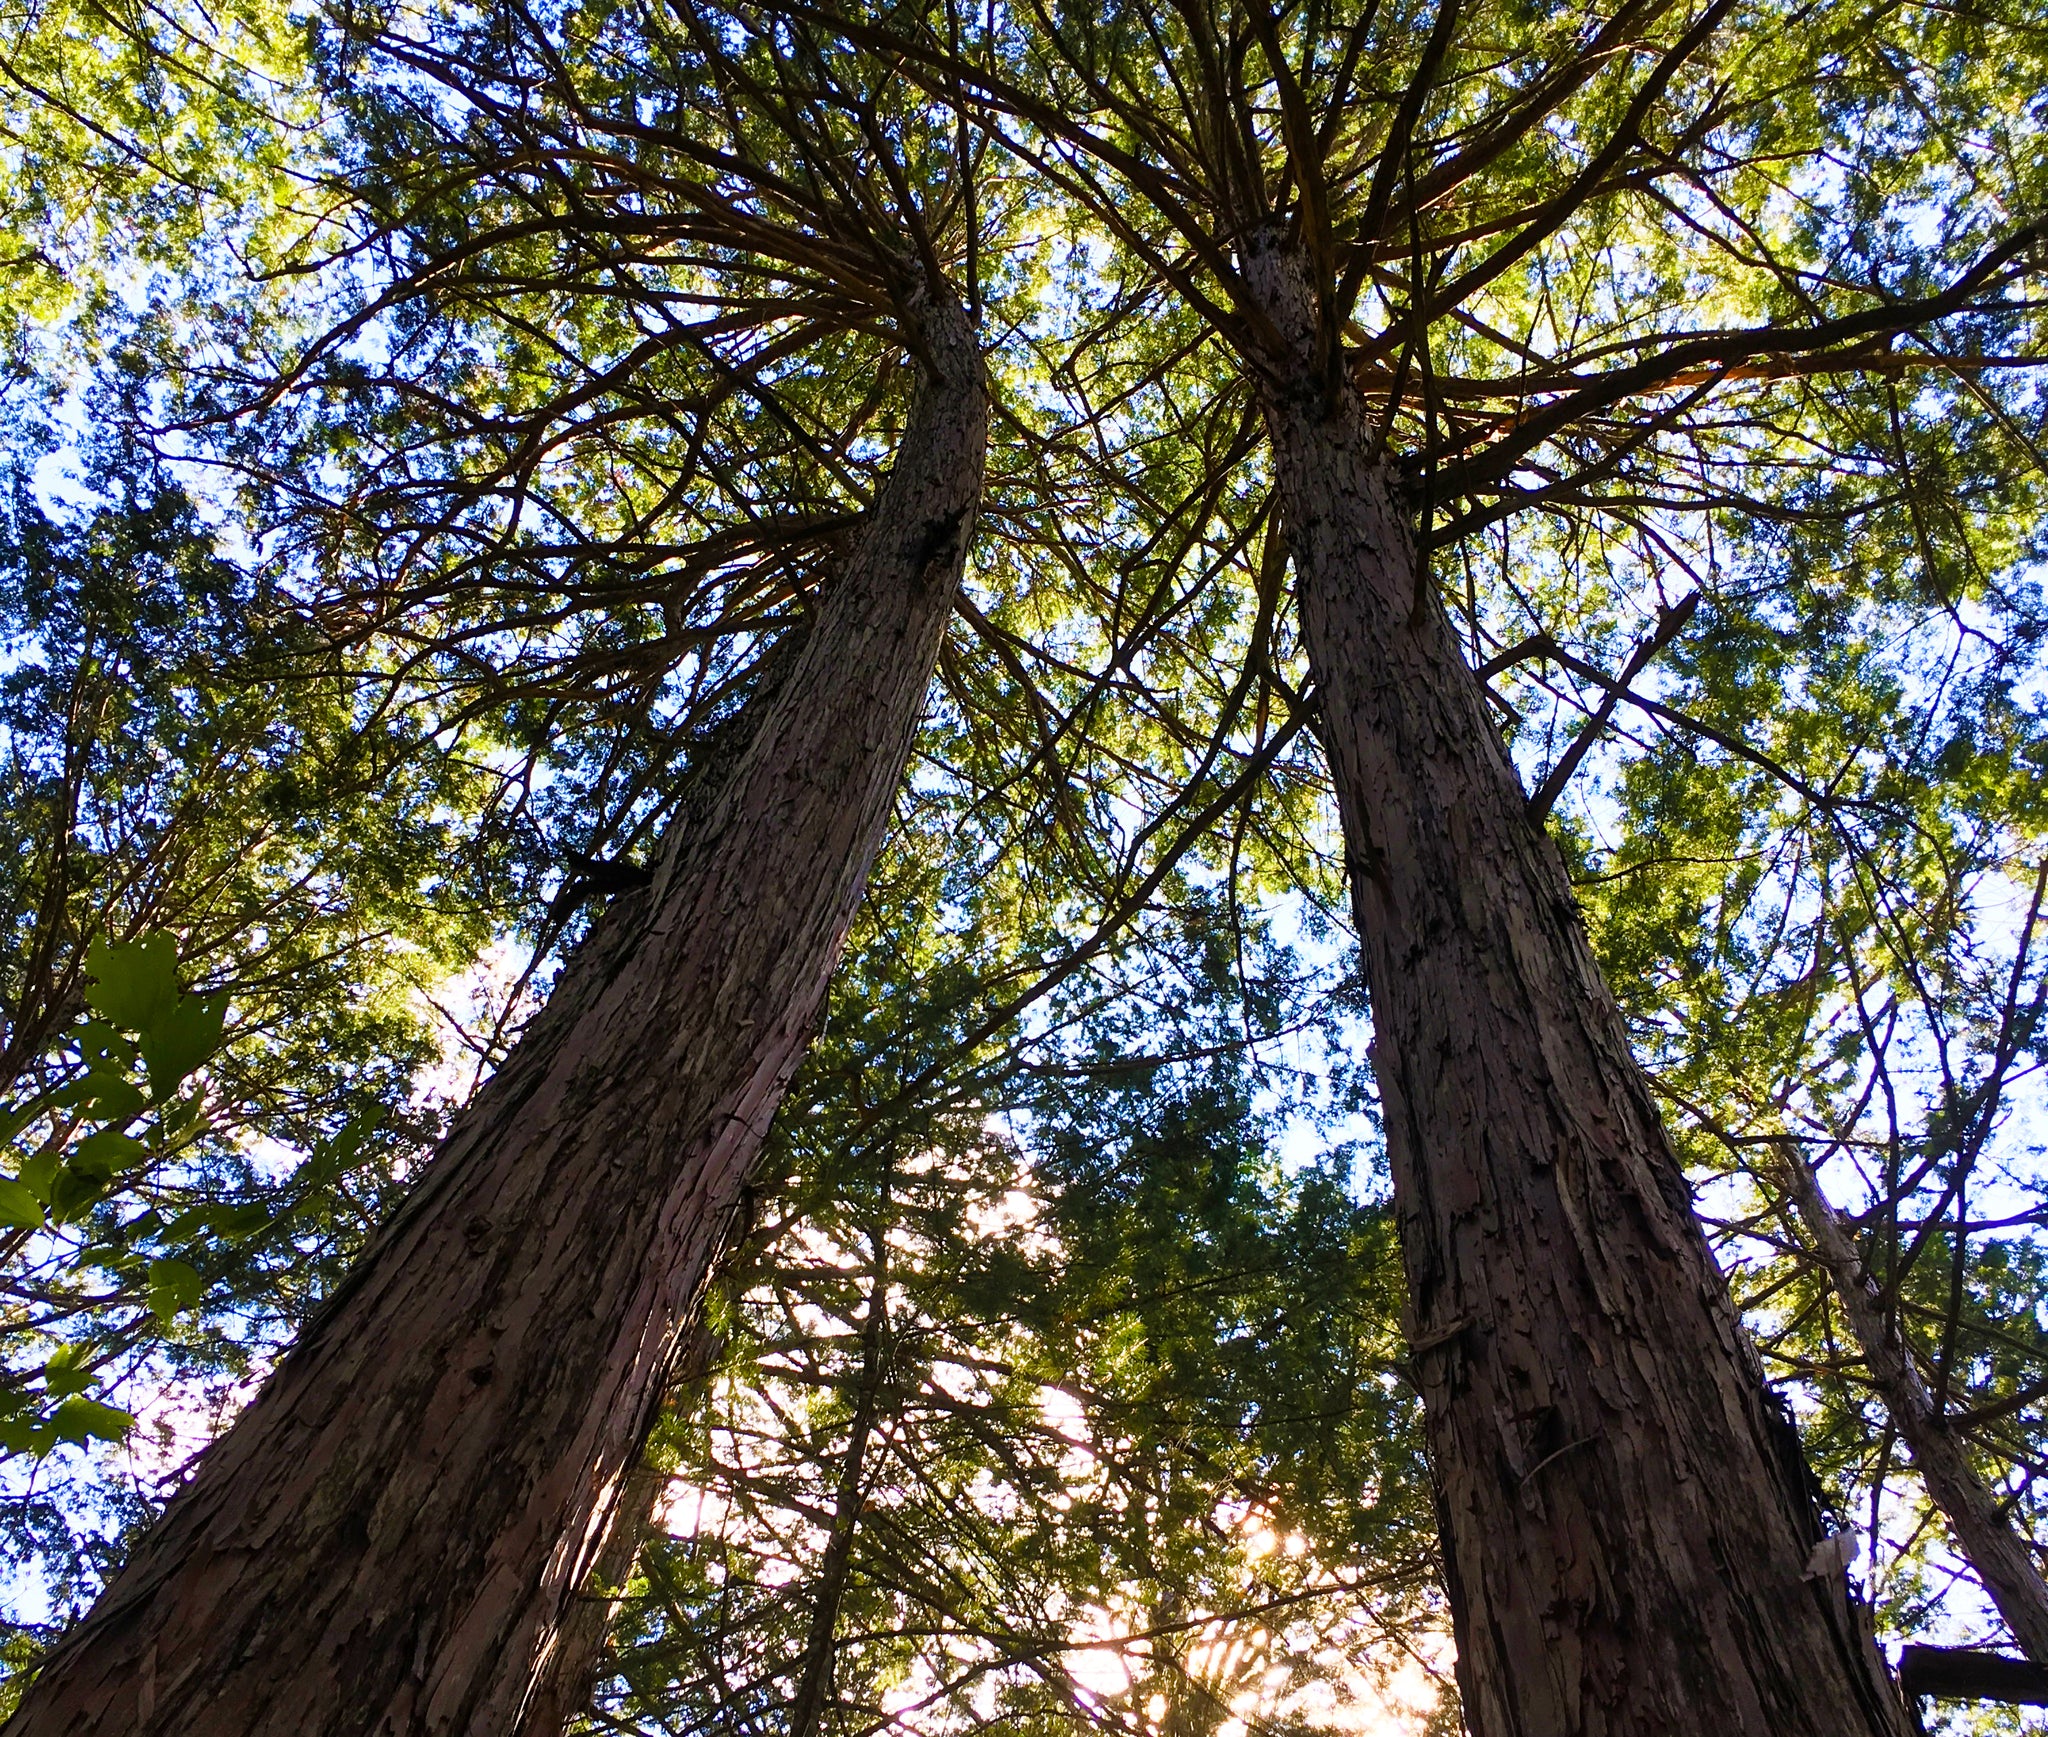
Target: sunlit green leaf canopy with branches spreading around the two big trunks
(568,351)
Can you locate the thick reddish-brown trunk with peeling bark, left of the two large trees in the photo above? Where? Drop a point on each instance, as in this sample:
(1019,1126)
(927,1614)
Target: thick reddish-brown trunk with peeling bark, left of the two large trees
(388,1539)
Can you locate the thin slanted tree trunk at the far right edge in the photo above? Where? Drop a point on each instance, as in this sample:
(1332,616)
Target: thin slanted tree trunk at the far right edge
(1967,1502)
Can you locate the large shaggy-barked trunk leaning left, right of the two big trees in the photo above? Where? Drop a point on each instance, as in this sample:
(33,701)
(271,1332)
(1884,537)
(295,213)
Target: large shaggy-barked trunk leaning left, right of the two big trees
(1625,1548)
